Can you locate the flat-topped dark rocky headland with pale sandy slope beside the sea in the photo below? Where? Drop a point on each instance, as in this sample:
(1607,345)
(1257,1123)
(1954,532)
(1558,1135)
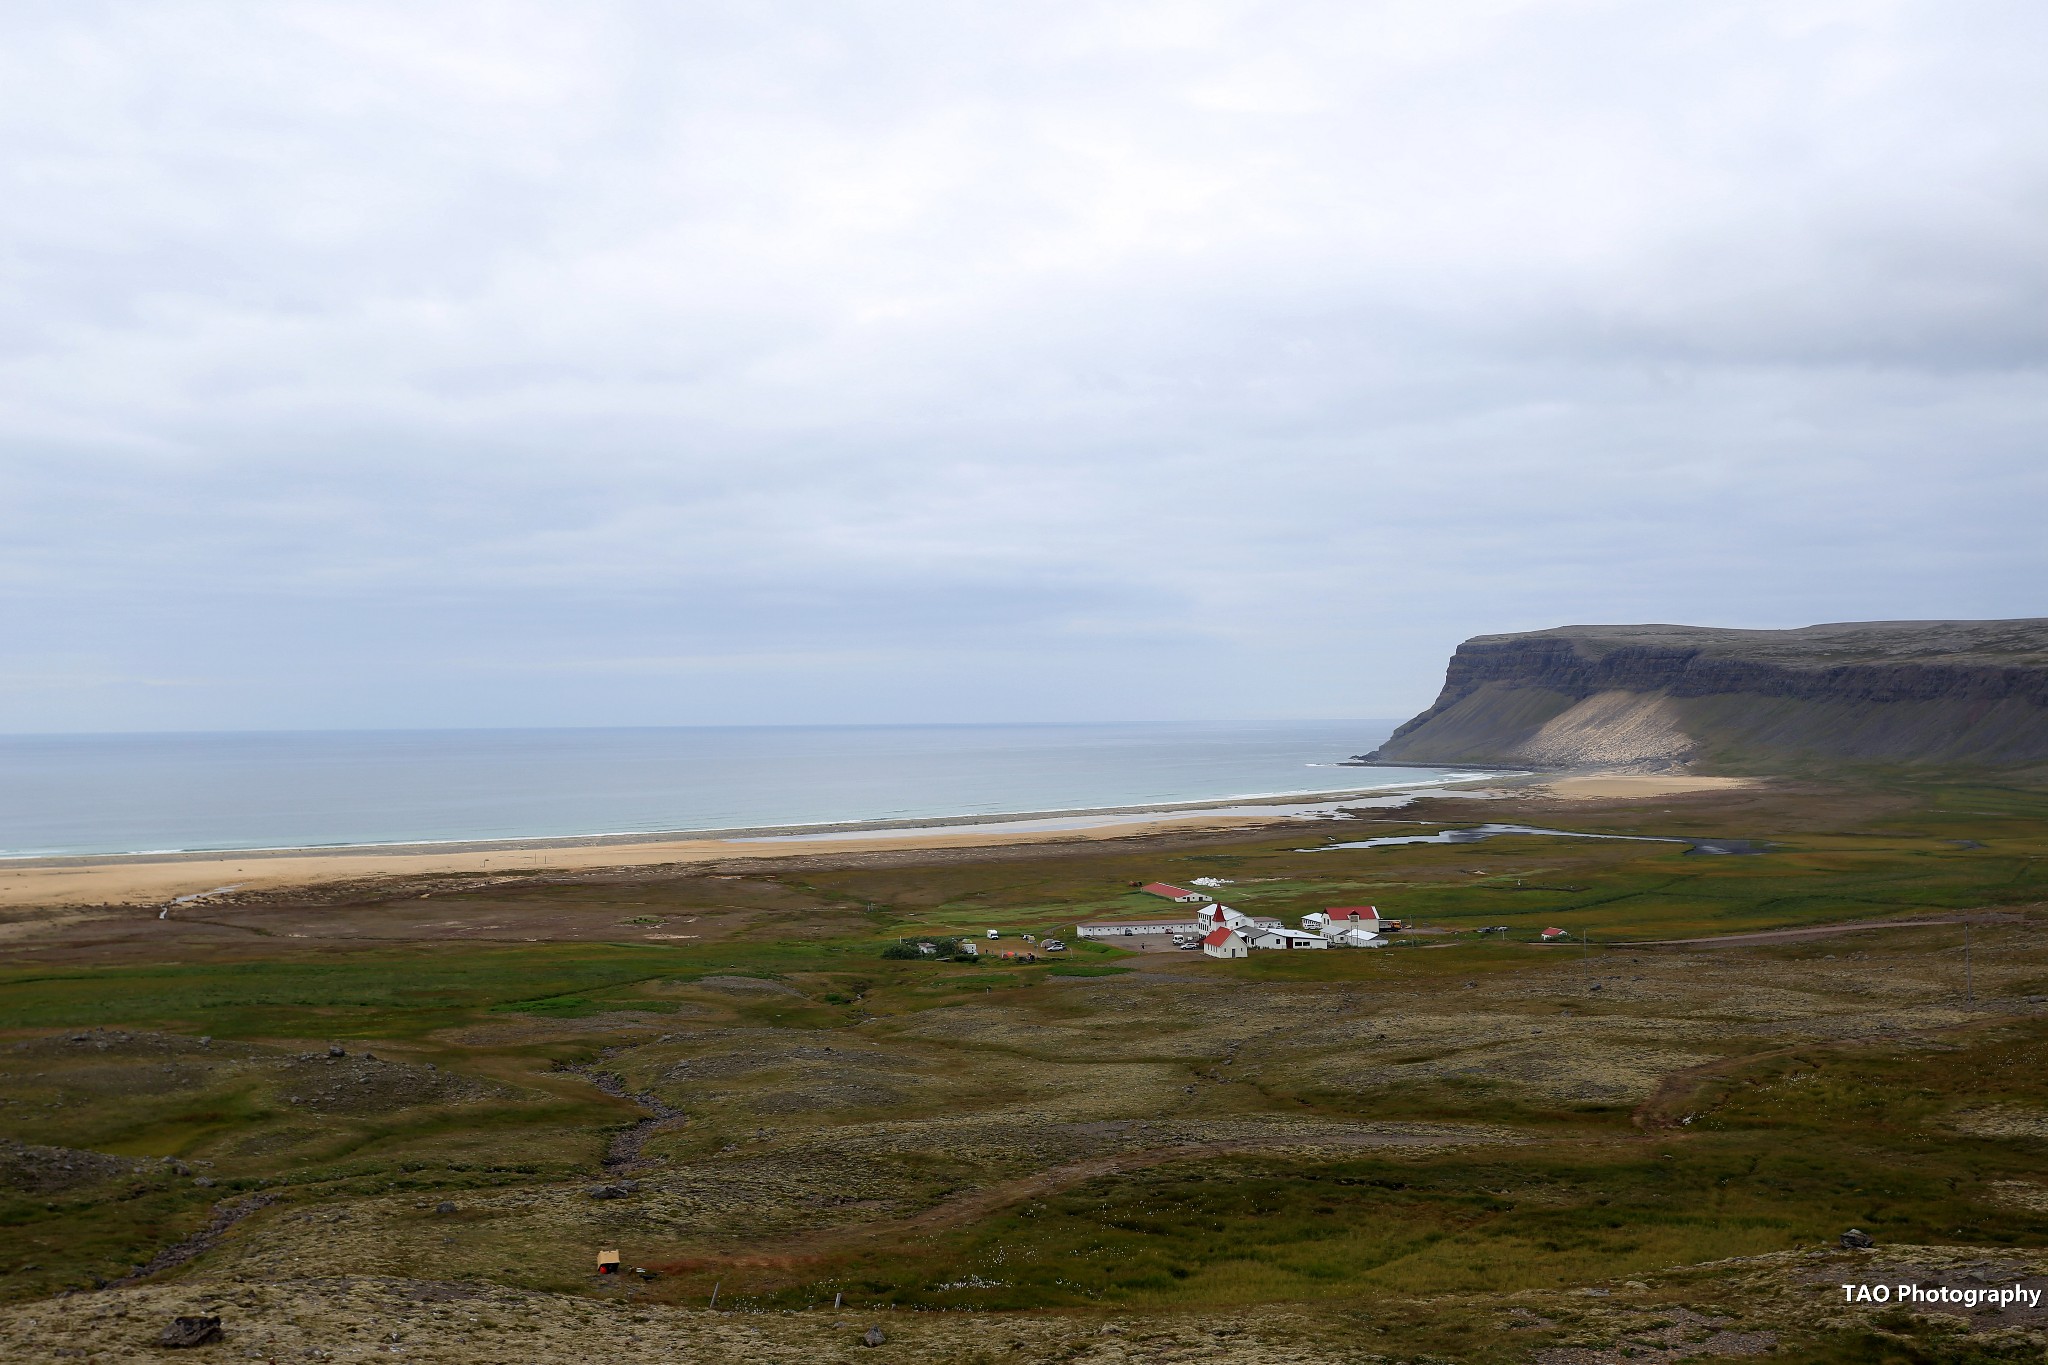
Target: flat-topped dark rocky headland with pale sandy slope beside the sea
(1682,697)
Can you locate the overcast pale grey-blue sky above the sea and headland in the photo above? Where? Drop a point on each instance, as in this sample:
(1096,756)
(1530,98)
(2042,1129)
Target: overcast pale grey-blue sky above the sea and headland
(886,361)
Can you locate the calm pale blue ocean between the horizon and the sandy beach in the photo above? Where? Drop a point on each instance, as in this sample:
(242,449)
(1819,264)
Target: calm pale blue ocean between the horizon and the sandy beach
(153,793)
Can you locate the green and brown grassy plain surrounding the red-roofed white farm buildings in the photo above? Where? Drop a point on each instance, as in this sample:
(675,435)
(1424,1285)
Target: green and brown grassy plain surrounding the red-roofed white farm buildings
(1471,1127)
